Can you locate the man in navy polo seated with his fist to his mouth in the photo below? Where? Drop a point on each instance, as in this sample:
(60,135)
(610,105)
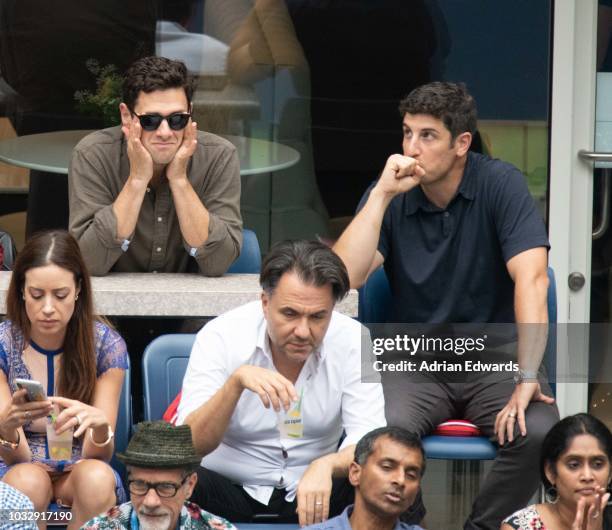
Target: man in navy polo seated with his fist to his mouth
(461,241)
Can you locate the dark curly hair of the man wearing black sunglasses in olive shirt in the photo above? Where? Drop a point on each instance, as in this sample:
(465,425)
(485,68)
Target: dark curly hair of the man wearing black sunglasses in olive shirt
(155,73)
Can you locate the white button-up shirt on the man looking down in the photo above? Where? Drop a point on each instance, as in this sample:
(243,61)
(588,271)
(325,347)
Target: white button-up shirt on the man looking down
(252,452)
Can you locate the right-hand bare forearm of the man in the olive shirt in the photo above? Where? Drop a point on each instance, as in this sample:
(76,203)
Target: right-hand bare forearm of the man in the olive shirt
(193,216)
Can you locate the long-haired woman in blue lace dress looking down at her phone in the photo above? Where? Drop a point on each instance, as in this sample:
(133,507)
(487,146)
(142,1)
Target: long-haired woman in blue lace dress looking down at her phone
(52,336)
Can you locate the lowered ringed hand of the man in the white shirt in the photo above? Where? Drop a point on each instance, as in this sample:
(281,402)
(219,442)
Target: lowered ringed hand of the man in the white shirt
(314,493)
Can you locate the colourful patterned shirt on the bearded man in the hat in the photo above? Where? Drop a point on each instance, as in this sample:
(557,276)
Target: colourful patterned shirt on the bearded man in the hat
(191,518)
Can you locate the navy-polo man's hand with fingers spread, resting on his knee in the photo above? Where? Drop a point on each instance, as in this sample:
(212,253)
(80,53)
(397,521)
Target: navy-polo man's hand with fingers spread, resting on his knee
(514,411)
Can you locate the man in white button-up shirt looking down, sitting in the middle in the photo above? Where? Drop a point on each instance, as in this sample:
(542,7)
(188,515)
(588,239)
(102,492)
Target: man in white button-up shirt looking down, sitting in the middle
(270,389)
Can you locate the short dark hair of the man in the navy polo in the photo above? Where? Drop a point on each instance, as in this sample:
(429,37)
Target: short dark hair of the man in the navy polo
(449,102)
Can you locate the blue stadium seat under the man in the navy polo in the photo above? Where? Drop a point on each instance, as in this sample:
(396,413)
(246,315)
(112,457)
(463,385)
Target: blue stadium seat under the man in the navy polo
(375,301)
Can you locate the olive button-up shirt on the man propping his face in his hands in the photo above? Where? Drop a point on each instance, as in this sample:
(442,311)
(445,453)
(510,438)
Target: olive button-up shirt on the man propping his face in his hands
(98,171)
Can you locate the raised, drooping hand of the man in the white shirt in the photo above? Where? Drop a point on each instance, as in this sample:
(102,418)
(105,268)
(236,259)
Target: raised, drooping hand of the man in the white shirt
(271,386)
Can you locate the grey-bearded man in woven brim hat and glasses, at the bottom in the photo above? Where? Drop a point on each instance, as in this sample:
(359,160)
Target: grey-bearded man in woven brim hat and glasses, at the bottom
(161,463)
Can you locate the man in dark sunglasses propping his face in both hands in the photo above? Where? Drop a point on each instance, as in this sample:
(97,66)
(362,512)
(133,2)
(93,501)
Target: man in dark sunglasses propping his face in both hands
(156,194)
